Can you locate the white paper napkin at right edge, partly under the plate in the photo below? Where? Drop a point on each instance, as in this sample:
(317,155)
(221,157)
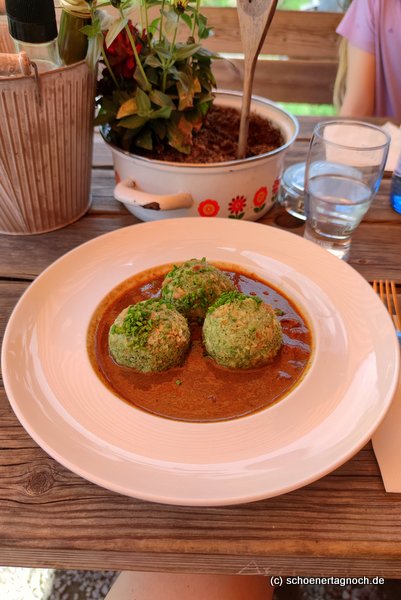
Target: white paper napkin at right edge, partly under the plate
(387,444)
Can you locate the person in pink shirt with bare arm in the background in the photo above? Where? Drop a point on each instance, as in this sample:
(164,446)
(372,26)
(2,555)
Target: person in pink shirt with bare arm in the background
(372,29)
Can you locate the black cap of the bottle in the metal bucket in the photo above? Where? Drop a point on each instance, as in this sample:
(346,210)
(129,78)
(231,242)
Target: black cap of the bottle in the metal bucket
(32,21)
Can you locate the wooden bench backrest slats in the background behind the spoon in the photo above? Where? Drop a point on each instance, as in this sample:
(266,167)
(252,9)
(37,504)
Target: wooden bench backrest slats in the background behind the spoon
(298,62)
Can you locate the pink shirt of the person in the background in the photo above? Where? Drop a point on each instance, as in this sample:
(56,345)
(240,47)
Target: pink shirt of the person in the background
(375,26)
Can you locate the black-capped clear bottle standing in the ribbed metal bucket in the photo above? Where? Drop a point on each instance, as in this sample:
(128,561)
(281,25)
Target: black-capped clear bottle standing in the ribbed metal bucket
(32,25)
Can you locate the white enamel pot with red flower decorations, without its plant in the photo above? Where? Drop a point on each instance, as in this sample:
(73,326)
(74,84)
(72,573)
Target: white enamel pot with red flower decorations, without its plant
(242,189)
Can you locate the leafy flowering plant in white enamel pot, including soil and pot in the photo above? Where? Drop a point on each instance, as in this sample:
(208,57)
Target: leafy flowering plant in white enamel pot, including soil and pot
(159,112)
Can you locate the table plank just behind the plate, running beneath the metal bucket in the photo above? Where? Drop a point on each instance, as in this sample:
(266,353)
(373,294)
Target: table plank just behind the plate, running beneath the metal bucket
(376,242)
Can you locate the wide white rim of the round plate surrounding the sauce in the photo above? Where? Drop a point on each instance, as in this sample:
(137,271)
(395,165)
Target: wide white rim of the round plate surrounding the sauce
(68,411)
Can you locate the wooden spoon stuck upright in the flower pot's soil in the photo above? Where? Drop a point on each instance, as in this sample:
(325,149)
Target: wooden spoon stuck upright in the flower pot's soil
(255,17)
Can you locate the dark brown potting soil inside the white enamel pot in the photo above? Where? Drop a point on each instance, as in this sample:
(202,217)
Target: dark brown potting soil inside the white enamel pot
(217,141)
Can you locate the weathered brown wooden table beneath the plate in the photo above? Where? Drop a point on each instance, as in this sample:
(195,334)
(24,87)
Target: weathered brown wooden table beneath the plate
(342,525)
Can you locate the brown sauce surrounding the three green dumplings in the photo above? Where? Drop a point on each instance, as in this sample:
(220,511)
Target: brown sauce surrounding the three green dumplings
(200,390)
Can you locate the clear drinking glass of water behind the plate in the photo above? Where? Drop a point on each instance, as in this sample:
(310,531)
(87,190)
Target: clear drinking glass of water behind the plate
(344,168)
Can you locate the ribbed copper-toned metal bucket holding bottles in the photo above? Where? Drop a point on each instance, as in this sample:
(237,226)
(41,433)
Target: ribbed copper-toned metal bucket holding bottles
(46,138)
